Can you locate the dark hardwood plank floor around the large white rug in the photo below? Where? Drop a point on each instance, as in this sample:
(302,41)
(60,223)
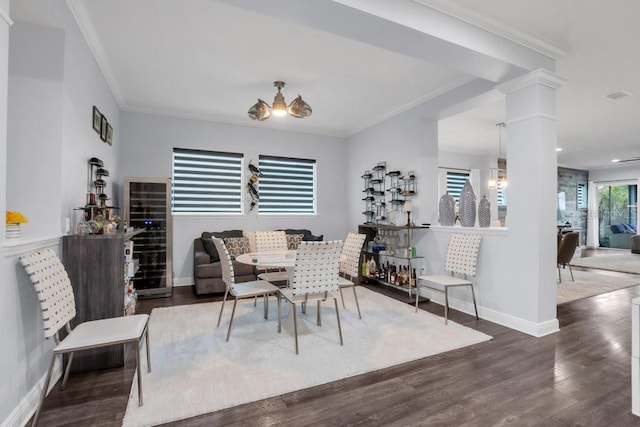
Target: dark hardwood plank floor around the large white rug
(580,376)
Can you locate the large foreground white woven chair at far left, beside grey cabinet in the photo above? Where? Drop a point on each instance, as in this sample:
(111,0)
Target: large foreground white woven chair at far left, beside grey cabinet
(57,303)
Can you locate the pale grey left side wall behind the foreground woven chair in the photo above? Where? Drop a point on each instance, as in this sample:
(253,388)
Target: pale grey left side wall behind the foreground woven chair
(53,83)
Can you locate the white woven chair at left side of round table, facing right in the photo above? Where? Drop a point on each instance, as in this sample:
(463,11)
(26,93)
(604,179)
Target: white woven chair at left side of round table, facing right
(252,289)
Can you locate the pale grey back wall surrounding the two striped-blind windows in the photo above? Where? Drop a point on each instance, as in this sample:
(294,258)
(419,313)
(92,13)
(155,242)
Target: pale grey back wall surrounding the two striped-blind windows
(148,143)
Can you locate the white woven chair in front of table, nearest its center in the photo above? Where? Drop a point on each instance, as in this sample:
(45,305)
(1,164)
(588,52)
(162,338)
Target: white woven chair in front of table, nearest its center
(315,278)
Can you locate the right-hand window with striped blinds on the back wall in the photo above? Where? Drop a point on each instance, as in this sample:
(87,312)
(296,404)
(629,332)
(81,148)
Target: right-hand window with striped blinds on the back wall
(287,186)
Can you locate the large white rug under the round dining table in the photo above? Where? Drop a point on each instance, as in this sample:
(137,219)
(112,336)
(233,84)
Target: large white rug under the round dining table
(195,371)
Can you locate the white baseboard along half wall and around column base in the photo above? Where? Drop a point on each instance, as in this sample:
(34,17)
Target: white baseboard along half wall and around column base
(512,322)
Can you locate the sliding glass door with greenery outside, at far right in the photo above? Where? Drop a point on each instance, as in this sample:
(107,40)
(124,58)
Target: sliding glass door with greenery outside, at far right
(617,214)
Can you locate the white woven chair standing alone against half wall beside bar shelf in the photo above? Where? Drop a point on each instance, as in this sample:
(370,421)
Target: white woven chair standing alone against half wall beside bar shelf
(460,260)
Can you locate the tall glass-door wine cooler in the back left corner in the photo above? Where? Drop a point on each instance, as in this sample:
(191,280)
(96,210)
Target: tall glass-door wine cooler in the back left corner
(147,205)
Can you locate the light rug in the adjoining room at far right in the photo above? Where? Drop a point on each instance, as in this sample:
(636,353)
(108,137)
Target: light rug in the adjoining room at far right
(590,283)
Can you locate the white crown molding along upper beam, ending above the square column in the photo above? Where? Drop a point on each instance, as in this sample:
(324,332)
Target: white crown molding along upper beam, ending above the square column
(467,15)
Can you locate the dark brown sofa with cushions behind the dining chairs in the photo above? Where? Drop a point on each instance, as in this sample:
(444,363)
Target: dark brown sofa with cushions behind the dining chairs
(207,273)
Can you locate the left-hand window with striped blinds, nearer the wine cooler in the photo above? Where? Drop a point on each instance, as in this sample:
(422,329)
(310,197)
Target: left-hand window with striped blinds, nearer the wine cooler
(206,181)
